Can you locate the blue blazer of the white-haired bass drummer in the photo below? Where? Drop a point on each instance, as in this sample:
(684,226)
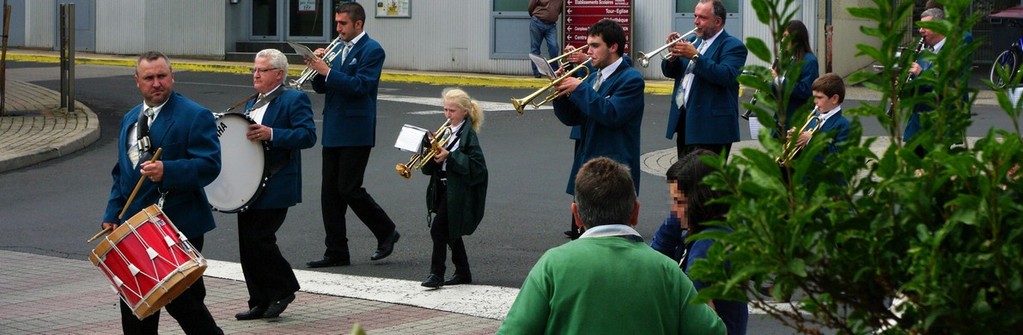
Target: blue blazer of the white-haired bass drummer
(291,116)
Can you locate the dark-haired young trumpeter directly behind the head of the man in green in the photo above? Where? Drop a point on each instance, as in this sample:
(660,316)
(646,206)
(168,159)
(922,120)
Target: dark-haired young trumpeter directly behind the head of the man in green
(607,106)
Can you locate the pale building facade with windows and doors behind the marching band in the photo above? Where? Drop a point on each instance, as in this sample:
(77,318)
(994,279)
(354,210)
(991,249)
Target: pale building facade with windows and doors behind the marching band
(478,36)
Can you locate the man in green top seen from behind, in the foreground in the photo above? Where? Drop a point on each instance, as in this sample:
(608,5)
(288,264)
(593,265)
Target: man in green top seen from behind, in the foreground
(608,281)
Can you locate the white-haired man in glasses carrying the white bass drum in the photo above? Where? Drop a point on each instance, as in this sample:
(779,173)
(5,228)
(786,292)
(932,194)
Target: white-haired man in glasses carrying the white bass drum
(285,122)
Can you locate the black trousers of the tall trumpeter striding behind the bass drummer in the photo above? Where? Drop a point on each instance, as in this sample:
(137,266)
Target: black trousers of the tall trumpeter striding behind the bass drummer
(342,188)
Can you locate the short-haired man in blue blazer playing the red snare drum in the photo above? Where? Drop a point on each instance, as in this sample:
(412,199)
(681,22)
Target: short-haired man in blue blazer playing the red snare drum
(190,161)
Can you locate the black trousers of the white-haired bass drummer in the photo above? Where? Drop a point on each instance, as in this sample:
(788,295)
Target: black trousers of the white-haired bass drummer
(269,275)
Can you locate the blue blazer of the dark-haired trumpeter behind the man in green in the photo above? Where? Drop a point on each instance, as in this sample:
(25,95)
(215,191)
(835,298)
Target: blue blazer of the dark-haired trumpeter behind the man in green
(609,119)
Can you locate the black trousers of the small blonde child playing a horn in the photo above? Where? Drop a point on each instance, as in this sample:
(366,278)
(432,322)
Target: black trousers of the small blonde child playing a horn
(439,234)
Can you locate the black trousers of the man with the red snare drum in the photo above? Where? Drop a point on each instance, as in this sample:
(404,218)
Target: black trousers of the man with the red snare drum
(188,309)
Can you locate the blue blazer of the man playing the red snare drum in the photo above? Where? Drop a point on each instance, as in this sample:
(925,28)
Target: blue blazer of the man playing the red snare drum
(188,134)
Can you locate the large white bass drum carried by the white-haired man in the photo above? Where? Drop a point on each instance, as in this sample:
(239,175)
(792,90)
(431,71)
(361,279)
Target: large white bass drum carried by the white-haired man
(244,170)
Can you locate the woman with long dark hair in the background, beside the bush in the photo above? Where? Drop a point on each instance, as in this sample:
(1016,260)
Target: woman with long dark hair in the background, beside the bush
(798,40)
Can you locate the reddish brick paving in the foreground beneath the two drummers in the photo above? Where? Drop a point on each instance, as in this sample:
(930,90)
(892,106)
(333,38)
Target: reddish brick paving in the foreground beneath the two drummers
(52,296)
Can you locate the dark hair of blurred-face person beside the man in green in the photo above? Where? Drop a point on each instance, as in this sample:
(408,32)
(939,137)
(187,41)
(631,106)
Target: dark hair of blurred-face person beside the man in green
(691,175)
